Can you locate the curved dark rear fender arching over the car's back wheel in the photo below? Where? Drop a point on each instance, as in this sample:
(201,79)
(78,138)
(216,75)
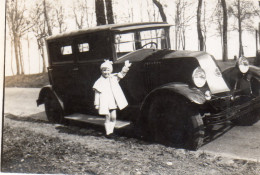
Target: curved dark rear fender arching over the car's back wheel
(48,91)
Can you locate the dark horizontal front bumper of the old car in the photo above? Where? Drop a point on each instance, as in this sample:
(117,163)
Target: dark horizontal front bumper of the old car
(232,112)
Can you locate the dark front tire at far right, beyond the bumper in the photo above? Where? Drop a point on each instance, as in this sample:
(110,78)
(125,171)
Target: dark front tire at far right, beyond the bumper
(248,119)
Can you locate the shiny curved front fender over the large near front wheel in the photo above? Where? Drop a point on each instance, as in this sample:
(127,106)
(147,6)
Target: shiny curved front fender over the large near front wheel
(192,94)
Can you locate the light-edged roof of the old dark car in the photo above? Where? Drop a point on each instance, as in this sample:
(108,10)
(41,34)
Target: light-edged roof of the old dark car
(112,27)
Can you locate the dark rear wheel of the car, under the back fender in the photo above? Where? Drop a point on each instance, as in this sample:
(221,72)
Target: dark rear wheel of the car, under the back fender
(53,110)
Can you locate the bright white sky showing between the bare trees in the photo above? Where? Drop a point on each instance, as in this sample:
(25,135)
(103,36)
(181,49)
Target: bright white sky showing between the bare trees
(140,10)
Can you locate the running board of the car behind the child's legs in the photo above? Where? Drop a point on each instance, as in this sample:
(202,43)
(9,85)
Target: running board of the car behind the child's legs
(97,120)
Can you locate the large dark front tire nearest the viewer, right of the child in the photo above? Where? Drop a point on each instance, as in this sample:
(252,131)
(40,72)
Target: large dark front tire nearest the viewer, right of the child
(173,121)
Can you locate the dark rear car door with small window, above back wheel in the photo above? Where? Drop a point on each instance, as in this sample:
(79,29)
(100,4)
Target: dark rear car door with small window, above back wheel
(62,71)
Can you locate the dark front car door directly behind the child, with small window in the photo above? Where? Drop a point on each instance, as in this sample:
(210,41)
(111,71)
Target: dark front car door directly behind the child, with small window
(92,50)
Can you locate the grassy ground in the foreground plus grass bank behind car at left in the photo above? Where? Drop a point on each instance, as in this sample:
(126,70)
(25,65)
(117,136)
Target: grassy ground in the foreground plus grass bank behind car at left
(36,146)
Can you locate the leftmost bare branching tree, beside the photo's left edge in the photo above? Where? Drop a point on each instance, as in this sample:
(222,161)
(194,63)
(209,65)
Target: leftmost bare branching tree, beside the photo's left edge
(18,25)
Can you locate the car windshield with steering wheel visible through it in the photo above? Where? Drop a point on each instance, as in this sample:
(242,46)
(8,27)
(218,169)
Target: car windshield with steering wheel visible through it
(134,40)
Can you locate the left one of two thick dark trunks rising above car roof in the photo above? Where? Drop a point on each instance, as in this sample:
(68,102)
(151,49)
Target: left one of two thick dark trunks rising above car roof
(100,12)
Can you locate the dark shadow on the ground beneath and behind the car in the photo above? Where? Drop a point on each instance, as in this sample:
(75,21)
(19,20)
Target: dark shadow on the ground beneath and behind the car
(129,132)
